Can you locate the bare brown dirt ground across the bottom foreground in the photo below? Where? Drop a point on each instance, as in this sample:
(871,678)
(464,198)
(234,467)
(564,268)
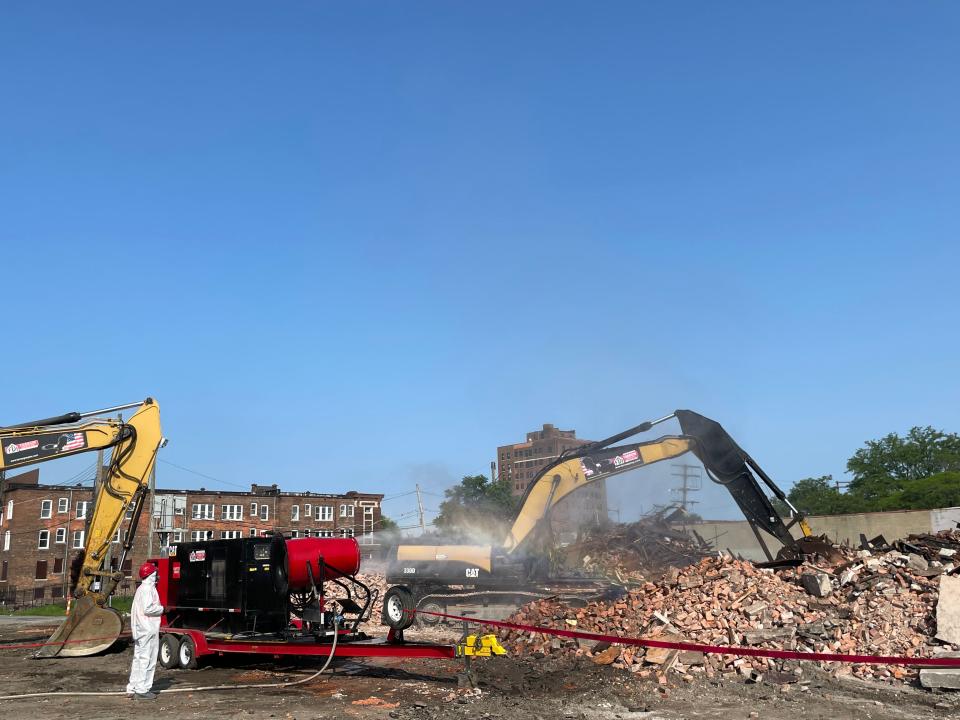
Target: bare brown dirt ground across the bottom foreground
(426,689)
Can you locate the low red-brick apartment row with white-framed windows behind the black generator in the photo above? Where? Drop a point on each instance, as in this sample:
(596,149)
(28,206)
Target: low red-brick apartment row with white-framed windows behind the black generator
(42,527)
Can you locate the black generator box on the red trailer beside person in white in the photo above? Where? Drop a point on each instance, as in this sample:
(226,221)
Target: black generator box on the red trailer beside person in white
(238,585)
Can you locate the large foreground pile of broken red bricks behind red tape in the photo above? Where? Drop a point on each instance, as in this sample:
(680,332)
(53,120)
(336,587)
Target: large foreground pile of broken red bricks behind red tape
(875,604)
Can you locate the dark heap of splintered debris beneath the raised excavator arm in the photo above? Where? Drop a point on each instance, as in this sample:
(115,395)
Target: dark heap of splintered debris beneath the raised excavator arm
(637,551)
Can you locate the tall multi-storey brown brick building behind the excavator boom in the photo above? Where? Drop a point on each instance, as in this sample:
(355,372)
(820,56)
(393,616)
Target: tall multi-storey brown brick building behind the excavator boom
(519,464)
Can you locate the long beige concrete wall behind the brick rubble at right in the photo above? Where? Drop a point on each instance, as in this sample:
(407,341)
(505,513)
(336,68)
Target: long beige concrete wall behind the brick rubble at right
(844,529)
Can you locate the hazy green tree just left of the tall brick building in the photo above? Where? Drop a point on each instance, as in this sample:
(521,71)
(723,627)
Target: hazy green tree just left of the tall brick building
(477,506)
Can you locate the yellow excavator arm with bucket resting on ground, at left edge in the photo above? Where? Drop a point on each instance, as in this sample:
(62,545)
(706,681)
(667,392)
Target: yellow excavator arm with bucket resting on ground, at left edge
(91,626)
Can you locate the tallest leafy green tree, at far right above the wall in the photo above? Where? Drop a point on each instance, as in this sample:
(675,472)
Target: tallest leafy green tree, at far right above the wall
(884,468)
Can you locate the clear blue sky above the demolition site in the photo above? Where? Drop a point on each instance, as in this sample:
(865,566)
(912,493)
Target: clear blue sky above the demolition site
(360,245)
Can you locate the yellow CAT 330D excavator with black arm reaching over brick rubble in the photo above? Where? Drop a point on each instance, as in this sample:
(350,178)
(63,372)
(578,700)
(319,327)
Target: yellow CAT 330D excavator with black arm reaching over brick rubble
(428,577)
